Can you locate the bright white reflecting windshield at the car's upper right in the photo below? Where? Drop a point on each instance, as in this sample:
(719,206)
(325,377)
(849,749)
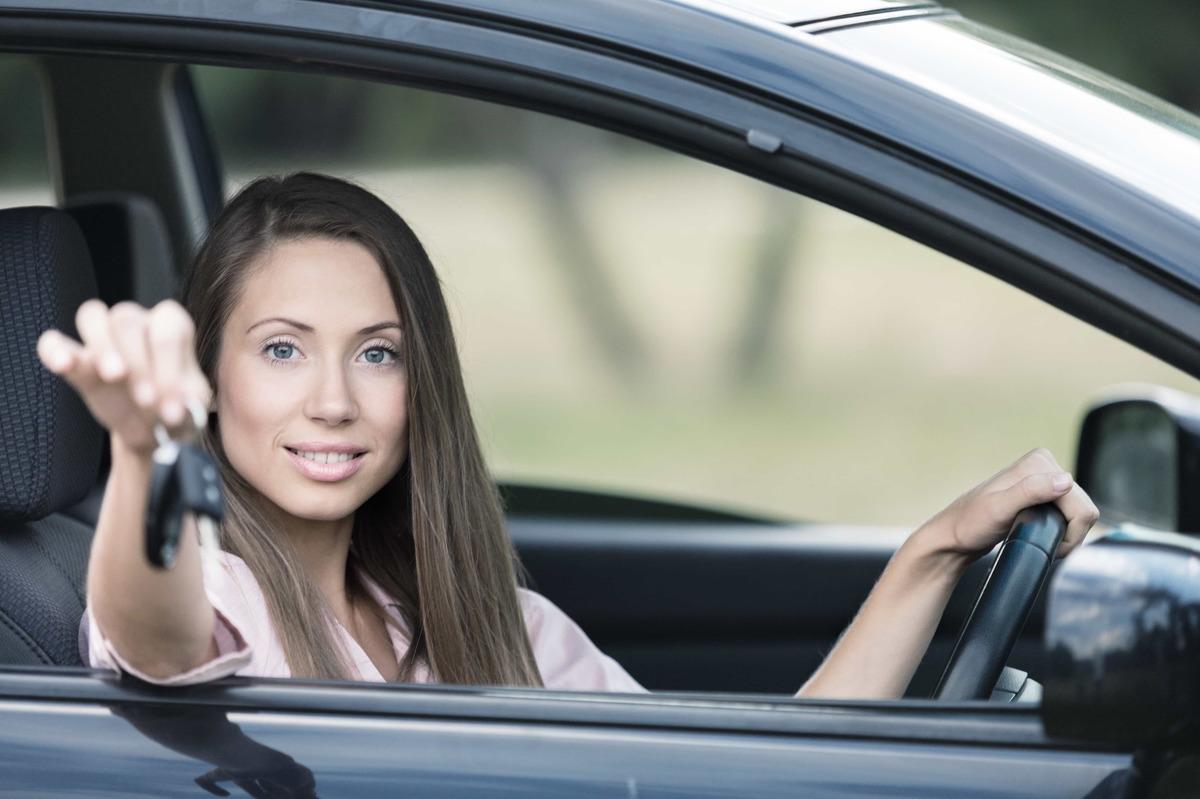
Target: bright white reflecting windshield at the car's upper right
(1145,142)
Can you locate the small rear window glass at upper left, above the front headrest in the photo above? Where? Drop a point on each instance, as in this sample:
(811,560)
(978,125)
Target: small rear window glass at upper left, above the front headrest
(26,177)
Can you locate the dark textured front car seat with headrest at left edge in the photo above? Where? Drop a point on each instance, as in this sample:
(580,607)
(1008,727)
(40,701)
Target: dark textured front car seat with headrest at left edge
(51,443)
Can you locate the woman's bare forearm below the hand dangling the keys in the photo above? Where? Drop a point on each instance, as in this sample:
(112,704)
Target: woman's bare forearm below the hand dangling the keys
(160,621)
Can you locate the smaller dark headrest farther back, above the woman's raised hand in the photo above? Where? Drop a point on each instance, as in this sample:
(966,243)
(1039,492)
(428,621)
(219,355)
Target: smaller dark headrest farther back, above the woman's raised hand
(130,247)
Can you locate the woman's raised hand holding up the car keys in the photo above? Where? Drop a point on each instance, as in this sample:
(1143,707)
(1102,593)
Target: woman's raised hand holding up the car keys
(135,368)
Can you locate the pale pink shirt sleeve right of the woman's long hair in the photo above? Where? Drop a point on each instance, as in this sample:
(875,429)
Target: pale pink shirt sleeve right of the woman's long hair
(567,658)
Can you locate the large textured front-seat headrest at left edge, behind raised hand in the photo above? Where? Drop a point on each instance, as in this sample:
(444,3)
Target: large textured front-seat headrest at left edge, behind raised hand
(50,444)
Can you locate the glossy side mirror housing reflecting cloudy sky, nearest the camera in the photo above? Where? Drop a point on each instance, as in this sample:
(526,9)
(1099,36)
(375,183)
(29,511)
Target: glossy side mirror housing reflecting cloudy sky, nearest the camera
(1123,641)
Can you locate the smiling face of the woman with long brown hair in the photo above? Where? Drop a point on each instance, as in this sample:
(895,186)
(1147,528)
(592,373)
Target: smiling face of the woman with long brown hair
(311,389)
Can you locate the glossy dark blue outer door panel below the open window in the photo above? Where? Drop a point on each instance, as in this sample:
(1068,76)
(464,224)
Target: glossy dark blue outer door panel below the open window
(449,743)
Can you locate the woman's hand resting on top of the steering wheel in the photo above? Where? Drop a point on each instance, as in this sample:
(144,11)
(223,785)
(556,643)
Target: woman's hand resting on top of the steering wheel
(981,519)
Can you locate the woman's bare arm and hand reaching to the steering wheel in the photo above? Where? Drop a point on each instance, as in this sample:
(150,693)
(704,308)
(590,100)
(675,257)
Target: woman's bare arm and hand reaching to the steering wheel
(880,651)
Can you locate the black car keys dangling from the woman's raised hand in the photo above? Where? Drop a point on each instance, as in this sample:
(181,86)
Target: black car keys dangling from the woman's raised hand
(184,480)
